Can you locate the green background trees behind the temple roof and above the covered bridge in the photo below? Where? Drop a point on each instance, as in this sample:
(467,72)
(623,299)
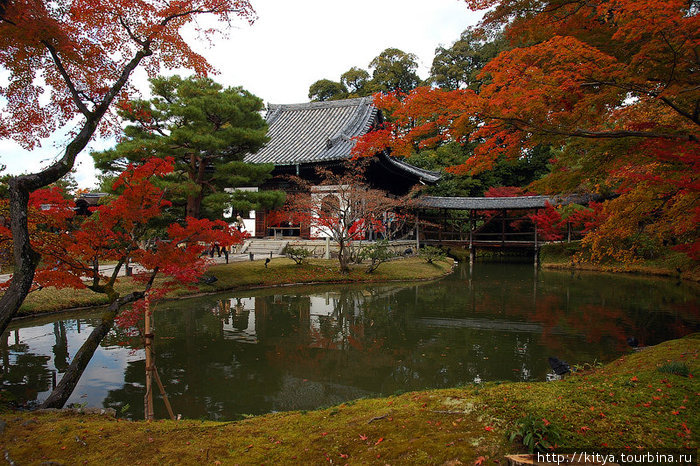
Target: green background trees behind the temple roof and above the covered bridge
(393,71)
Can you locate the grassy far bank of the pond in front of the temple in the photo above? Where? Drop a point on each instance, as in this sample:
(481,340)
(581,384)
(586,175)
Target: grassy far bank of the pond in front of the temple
(242,275)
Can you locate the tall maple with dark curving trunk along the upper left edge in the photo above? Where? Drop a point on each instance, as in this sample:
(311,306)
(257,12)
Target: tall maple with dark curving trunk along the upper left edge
(66,62)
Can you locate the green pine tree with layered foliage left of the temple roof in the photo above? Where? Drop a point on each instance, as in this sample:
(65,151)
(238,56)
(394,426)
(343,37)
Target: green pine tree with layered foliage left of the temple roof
(208,129)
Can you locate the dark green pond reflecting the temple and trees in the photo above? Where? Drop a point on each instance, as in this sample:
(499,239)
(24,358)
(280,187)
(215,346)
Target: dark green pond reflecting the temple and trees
(287,348)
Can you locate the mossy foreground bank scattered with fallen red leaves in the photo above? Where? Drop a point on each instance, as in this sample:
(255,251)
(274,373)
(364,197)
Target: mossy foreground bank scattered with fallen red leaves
(630,403)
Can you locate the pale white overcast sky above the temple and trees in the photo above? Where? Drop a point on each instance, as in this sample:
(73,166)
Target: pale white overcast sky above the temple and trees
(293,44)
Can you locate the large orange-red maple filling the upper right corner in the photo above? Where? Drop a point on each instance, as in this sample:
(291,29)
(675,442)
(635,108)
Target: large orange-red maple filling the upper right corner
(611,85)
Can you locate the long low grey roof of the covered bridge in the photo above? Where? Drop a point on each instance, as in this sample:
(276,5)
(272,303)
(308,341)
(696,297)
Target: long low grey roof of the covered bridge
(496,203)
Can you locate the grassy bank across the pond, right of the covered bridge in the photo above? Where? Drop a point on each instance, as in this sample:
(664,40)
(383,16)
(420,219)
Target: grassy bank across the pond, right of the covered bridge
(669,264)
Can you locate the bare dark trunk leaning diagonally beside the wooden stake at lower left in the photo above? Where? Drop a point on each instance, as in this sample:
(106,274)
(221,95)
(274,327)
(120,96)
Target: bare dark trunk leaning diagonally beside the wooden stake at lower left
(65,387)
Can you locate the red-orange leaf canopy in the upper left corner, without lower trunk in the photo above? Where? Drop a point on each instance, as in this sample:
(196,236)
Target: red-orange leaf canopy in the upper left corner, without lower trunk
(77,50)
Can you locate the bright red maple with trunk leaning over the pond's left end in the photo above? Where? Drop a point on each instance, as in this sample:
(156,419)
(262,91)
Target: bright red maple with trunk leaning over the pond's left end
(121,231)
